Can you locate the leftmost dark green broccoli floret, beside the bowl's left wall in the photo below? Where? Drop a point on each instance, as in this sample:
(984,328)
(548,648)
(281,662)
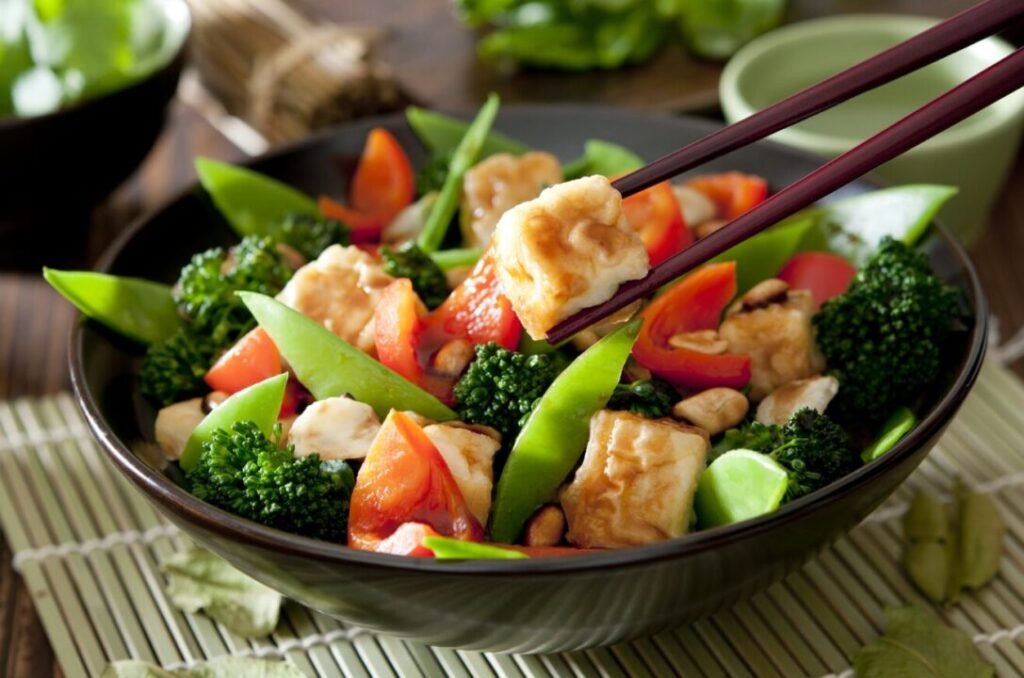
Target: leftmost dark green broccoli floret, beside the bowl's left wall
(174,369)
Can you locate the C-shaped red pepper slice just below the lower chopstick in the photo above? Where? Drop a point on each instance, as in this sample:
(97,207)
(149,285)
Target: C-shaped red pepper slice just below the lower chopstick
(694,304)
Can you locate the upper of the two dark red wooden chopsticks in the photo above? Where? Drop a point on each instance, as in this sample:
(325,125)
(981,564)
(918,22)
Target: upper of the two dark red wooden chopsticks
(942,40)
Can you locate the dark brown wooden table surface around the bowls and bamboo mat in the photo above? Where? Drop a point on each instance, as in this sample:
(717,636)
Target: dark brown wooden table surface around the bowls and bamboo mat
(34,323)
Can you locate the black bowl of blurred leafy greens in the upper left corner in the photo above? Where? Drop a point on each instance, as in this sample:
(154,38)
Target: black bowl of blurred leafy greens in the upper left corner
(71,159)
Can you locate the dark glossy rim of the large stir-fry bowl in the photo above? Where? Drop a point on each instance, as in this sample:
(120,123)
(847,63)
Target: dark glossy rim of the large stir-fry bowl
(177,500)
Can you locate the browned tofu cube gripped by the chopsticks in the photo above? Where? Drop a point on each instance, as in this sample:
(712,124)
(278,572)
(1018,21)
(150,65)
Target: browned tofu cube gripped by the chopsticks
(568,249)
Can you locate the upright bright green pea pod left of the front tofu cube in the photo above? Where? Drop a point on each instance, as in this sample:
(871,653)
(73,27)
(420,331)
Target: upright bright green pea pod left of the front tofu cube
(556,434)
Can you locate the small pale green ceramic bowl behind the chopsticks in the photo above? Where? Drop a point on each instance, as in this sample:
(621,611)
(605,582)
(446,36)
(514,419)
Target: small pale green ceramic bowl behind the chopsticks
(975,155)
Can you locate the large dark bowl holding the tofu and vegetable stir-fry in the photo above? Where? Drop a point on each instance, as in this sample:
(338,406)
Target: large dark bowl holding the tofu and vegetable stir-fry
(527,606)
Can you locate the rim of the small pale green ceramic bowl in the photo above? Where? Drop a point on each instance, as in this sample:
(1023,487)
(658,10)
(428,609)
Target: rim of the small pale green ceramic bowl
(737,103)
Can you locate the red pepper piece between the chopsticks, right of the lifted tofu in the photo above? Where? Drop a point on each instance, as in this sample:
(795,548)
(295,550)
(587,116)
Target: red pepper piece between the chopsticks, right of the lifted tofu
(655,214)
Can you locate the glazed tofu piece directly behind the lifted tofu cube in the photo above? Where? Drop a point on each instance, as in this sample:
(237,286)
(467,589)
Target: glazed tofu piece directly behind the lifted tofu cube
(499,184)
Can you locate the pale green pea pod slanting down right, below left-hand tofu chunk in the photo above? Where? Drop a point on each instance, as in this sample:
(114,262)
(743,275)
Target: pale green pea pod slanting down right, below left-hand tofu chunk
(330,367)
